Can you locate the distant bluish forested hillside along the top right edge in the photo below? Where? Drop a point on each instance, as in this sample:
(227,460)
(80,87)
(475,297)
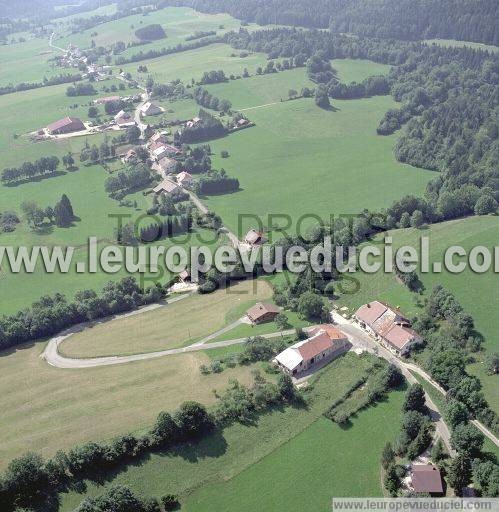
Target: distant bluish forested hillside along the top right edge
(469,20)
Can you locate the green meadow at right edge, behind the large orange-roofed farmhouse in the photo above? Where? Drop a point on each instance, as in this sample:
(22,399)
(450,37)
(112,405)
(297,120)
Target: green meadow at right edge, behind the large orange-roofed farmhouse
(477,293)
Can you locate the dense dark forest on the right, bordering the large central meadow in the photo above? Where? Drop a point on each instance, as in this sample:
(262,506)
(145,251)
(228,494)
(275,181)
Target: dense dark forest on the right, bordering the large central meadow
(449,101)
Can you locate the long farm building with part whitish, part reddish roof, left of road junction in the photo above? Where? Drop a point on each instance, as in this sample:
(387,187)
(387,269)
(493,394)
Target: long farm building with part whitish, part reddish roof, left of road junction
(325,344)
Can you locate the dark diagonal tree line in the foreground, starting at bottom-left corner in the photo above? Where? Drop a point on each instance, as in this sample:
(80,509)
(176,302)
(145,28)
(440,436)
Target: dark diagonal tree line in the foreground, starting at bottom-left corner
(30,481)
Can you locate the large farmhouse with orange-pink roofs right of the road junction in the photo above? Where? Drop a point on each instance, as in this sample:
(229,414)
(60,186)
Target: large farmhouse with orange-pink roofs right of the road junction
(388,325)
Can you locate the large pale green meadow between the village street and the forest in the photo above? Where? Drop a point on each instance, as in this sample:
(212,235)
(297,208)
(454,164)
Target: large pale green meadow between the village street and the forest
(322,162)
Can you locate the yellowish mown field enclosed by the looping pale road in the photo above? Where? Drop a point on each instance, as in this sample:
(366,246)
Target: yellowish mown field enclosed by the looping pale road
(174,325)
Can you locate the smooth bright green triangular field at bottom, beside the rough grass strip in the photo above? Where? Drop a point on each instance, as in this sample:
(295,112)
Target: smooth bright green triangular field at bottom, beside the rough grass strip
(288,479)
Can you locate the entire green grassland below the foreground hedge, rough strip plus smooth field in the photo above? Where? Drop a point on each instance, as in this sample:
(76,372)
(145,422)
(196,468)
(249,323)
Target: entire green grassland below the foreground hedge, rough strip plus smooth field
(289,448)
